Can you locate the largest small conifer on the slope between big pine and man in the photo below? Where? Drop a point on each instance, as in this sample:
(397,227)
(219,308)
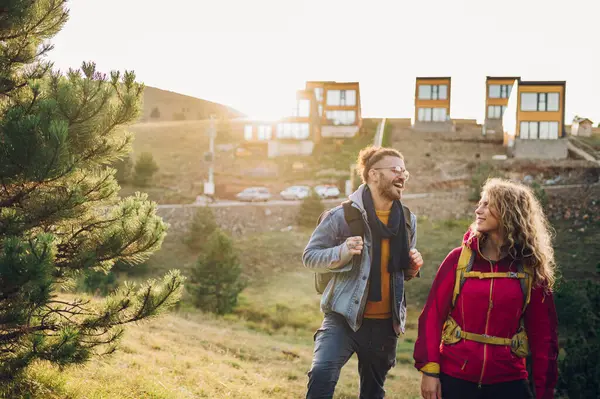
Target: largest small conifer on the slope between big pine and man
(216,280)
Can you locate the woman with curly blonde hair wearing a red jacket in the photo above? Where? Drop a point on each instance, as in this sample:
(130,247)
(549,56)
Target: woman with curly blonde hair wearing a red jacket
(491,305)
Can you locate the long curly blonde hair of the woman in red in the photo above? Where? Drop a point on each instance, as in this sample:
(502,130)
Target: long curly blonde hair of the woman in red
(528,232)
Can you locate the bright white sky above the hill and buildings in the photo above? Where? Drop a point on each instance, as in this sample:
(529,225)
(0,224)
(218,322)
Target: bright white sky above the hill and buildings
(254,55)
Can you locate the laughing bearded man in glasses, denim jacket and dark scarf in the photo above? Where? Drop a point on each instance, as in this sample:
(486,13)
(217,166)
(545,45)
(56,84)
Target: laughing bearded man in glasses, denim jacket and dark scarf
(364,303)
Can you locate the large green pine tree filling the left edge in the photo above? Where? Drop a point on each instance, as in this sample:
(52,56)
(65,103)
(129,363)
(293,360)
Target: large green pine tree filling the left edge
(60,214)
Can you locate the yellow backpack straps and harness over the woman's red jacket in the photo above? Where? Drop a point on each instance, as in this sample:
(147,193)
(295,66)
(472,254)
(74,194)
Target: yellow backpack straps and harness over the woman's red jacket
(453,333)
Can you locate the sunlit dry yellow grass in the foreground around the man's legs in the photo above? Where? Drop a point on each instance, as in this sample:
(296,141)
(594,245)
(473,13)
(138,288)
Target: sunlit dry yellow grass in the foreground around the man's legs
(195,356)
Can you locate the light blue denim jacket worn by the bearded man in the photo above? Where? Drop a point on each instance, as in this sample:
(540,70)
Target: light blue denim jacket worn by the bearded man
(347,291)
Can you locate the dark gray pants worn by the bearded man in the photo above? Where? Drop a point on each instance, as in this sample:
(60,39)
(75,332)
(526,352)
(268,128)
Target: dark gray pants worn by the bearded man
(335,342)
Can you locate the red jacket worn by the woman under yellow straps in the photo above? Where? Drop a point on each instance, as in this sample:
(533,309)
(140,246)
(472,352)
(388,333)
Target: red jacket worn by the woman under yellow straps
(493,307)
